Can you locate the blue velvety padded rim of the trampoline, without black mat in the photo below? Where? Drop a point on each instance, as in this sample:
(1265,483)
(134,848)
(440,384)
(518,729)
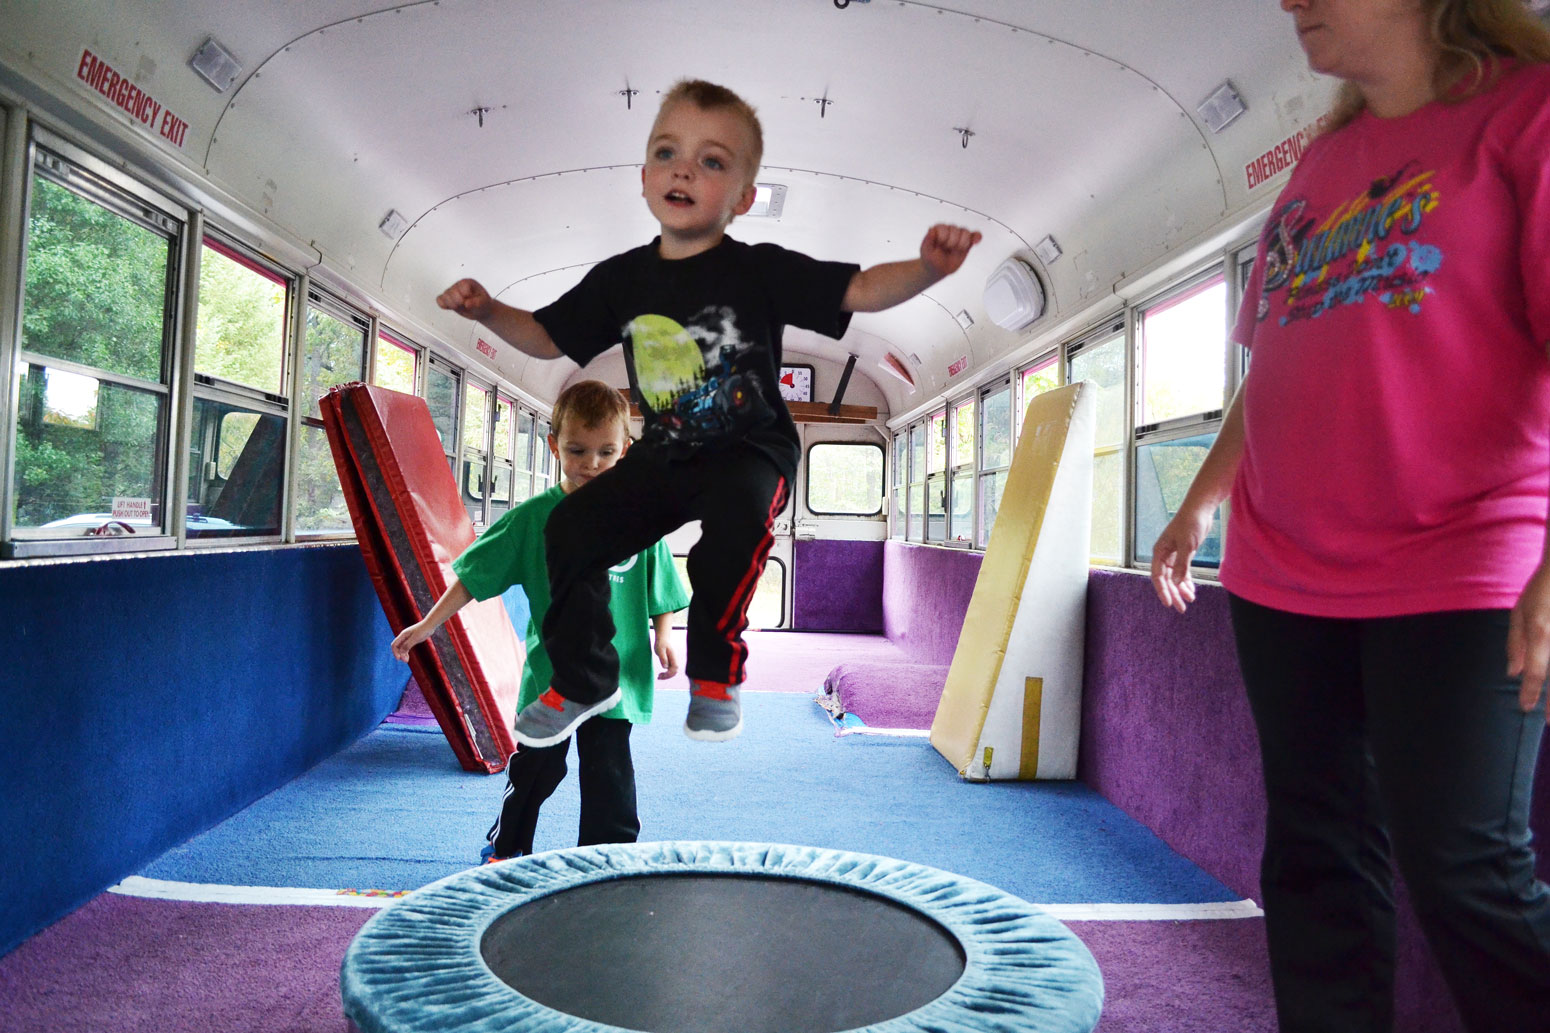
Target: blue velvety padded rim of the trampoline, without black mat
(416,967)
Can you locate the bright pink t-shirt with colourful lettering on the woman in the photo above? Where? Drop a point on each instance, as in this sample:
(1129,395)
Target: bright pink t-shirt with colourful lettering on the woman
(1397,413)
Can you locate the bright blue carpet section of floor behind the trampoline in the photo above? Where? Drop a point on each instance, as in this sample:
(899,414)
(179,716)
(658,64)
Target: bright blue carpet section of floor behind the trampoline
(394,812)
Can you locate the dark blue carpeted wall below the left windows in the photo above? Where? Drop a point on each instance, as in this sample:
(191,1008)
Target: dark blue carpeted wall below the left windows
(148,699)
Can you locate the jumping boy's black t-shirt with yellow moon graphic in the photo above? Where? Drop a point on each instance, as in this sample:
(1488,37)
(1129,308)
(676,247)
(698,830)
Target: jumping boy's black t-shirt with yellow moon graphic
(703,337)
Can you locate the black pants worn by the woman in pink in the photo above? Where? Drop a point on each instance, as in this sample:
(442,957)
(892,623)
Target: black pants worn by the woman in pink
(1396,738)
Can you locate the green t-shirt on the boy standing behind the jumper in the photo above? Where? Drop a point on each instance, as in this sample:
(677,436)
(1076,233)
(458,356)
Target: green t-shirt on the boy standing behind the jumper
(512,553)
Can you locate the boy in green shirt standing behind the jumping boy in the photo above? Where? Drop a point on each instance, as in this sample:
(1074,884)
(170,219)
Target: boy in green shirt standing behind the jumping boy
(591,432)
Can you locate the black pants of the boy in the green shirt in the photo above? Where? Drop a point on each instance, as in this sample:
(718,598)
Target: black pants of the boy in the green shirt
(608,789)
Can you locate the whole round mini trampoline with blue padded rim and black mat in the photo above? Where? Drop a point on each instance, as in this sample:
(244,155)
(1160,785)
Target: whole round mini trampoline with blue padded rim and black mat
(708,938)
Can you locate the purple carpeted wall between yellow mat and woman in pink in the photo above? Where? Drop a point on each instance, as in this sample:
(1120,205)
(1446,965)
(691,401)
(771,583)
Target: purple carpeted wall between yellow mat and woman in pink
(1168,736)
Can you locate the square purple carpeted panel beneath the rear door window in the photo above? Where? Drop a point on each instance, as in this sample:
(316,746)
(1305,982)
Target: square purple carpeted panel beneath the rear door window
(838,587)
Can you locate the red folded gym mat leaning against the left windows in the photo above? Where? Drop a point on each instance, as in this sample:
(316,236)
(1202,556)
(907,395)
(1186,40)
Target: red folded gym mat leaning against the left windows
(412,525)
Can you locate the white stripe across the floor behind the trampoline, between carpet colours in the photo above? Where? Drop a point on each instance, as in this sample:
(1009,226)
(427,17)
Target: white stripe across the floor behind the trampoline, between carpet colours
(218,894)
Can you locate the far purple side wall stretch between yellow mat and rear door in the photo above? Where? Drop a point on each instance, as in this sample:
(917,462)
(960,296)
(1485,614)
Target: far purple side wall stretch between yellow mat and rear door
(925,598)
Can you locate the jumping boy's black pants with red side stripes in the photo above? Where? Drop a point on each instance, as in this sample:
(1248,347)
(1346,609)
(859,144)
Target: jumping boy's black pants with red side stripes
(735,494)
